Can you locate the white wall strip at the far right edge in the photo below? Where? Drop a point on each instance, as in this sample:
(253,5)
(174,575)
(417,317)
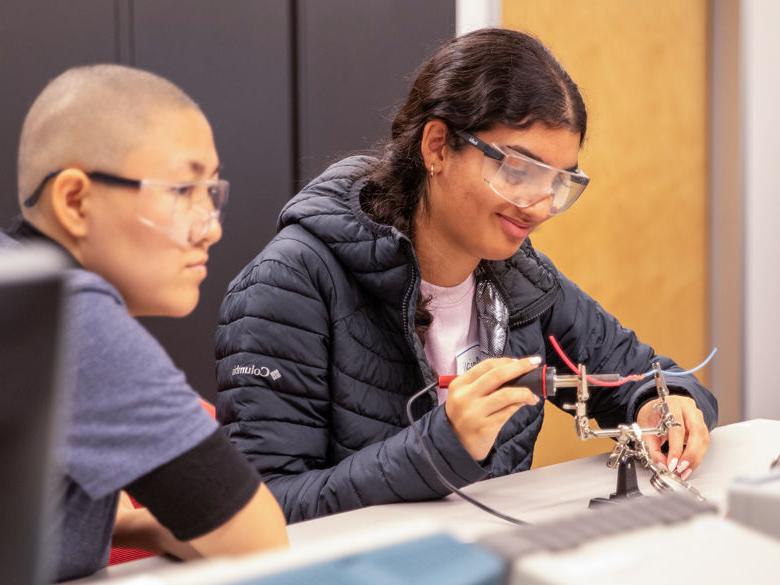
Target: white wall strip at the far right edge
(761,135)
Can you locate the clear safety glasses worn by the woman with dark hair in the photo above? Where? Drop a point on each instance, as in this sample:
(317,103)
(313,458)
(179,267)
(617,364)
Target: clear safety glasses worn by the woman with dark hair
(523,181)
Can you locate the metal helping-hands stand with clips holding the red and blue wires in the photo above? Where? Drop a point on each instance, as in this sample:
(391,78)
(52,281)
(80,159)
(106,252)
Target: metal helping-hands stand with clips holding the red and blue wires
(630,446)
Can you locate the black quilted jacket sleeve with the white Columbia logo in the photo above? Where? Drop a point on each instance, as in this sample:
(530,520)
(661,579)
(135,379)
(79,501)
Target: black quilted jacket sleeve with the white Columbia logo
(274,396)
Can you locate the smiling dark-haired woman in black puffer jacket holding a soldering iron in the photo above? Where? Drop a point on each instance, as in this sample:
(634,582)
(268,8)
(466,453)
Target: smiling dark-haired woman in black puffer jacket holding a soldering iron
(388,272)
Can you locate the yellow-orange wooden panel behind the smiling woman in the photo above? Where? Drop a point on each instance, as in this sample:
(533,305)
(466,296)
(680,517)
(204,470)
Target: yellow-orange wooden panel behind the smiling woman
(638,239)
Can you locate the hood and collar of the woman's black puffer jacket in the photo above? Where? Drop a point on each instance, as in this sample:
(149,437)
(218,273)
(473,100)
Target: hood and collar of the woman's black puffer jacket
(382,259)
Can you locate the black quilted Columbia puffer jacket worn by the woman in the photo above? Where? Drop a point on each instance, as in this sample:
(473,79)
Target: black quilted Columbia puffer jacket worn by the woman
(317,357)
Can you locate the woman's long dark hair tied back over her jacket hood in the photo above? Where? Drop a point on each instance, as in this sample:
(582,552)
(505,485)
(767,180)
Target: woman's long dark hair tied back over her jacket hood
(473,82)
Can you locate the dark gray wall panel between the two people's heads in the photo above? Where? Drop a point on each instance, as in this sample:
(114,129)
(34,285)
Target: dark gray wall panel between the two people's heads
(236,62)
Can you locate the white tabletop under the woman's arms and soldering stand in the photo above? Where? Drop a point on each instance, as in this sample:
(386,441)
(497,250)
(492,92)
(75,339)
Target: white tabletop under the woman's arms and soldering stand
(542,494)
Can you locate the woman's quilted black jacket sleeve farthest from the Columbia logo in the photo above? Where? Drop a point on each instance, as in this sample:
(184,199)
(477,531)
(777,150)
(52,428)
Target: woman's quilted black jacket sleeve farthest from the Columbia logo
(592,336)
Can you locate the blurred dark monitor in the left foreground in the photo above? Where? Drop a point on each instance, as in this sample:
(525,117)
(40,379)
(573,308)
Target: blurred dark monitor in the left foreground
(31,313)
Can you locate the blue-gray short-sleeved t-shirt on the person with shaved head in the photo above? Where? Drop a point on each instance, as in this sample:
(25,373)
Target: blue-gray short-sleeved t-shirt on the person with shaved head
(132,411)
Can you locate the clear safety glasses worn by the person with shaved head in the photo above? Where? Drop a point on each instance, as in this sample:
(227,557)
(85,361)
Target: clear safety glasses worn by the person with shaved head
(184,212)
